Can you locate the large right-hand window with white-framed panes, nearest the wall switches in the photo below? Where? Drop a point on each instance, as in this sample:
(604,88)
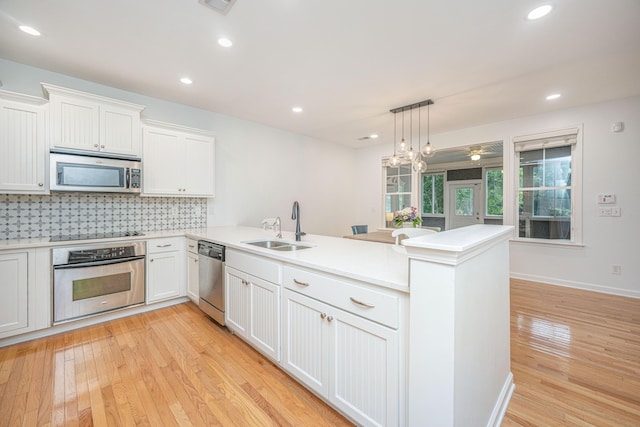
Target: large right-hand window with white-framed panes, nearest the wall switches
(547,187)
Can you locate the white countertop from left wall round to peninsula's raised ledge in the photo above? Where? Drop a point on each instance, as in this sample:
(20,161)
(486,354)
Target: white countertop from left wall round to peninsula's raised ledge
(376,263)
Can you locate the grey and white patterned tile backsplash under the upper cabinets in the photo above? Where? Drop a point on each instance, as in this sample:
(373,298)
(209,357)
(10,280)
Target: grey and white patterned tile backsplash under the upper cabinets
(61,214)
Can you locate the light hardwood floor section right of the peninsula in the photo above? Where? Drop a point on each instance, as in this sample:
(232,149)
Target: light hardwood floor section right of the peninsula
(575,357)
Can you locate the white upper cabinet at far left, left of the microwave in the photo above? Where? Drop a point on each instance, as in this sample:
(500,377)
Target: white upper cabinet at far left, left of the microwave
(22,144)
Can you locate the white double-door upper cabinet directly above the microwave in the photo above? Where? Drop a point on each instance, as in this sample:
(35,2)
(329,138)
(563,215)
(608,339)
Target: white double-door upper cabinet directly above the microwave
(83,121)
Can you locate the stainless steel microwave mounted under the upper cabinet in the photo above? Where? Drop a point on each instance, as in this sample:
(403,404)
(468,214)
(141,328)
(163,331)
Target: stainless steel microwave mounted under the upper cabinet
(85,173)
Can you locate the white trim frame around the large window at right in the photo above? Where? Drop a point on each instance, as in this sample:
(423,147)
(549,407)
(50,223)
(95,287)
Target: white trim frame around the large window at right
(550,139)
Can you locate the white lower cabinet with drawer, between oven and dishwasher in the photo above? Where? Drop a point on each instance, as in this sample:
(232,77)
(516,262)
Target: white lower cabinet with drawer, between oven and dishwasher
(165,269)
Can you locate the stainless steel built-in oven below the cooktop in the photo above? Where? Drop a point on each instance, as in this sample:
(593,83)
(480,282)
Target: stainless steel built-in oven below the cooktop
(92,279)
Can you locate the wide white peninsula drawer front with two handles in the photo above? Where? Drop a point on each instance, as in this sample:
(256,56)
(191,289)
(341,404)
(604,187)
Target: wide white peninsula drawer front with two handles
(368,303)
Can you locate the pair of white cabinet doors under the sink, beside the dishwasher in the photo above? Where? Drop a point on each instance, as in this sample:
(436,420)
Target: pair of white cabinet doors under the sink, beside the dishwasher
(253,311)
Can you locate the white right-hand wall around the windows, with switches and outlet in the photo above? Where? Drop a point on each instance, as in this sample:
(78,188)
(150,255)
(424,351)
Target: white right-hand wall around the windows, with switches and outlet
(609,166)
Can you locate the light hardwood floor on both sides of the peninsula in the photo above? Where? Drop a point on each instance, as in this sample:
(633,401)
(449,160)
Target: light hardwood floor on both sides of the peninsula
(575,360)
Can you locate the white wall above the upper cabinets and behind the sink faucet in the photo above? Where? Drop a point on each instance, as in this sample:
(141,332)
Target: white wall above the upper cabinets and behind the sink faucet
(260,170)
